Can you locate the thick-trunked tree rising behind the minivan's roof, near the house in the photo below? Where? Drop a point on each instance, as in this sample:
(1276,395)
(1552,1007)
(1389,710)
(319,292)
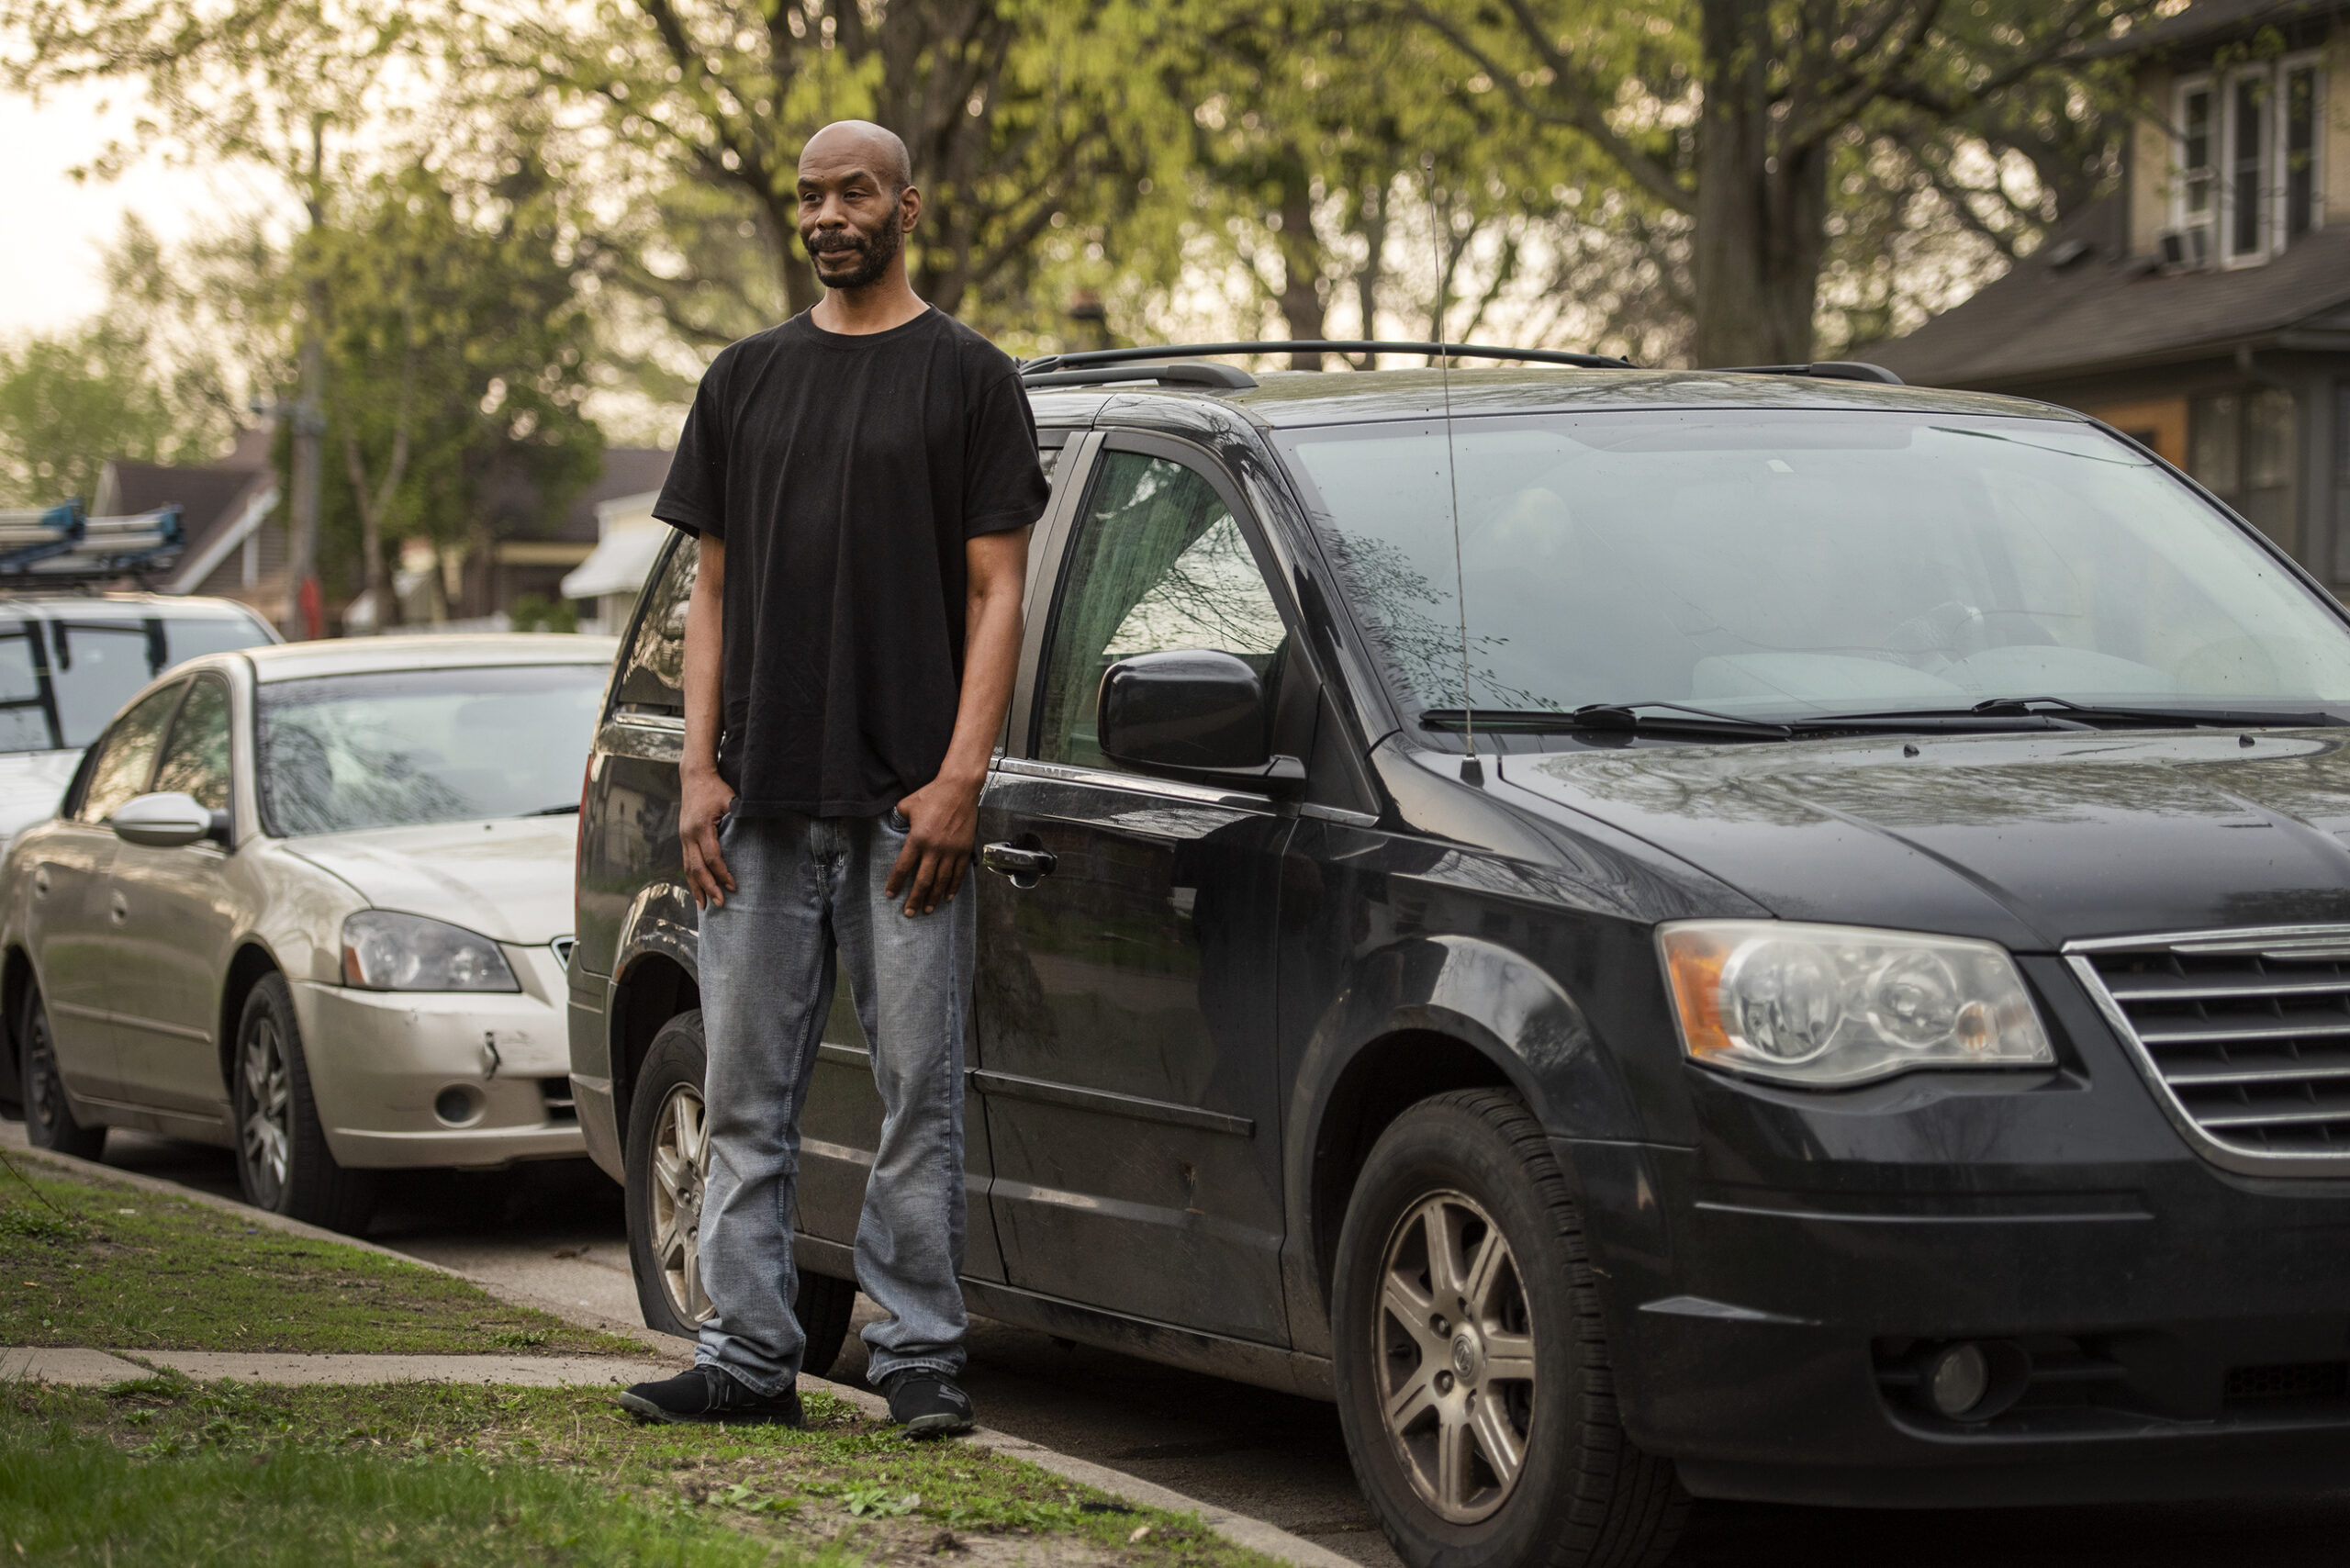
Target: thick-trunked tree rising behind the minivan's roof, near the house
(1738,114)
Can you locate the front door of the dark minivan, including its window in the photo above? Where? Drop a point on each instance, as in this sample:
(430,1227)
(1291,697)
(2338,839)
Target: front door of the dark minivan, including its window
(1127,937)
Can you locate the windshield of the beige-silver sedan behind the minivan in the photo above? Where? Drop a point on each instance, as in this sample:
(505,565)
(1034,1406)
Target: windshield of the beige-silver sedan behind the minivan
(424,746)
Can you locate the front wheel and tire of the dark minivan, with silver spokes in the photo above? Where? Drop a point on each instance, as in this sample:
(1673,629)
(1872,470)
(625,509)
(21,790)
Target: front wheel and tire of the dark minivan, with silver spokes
(1470,1355)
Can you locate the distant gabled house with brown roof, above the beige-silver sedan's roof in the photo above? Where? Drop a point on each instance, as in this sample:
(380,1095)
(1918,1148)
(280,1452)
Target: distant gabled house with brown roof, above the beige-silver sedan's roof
(236,544)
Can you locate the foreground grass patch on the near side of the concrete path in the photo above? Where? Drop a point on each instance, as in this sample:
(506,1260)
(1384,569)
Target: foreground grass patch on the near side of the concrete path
(180,1473)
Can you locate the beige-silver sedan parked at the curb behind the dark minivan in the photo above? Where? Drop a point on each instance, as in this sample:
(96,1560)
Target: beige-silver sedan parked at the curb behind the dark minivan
(314,904)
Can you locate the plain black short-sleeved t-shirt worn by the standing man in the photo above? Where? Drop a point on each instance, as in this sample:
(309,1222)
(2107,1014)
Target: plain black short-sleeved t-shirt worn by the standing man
(845,476)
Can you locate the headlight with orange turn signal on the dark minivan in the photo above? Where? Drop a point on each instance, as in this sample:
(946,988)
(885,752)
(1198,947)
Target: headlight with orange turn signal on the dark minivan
(1846,1005)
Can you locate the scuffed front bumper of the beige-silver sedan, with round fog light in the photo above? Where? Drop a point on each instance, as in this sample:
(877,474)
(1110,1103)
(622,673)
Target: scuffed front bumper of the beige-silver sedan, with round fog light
(387,1068)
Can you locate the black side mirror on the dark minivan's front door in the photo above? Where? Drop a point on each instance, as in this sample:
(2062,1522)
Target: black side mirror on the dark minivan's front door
(1190,713)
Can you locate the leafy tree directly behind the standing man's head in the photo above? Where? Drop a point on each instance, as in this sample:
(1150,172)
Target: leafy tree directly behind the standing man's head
(1009,109)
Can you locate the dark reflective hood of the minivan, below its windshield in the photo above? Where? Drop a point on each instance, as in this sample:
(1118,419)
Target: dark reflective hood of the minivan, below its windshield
(2029,840)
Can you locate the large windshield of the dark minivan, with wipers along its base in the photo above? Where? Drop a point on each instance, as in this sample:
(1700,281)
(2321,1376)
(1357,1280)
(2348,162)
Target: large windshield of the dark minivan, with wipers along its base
(1787,565)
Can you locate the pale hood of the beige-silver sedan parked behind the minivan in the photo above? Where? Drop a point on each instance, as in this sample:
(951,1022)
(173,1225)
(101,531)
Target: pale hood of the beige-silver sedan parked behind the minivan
(509,880)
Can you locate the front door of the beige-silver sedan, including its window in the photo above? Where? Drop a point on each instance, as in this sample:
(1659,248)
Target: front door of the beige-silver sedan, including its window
(175,920)
